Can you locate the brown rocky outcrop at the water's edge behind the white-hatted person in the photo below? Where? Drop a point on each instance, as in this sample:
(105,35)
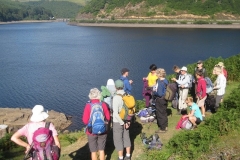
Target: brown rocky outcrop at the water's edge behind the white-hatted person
(15,118)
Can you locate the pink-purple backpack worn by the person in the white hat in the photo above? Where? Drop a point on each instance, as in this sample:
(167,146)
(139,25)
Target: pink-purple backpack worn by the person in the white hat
(43,144)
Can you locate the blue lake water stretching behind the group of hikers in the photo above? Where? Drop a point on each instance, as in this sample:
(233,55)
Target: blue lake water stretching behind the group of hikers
(55,64)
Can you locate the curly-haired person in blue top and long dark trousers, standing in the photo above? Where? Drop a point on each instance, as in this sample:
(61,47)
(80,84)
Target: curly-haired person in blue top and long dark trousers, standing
(160,102)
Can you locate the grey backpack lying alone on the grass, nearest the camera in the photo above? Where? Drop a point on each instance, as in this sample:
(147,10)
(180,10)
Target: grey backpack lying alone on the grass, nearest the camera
(153,142)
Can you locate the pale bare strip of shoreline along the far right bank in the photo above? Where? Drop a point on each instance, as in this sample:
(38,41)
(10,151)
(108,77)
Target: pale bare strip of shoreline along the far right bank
(214,26)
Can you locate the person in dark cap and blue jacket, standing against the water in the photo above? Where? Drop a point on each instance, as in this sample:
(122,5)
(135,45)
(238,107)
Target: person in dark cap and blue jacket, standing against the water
(127,83)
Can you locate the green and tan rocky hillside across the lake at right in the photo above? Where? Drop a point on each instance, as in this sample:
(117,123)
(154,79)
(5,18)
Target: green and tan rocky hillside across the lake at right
(163,7)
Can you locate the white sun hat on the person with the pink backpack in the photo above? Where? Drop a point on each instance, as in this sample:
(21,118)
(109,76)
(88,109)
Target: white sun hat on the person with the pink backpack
(38,114)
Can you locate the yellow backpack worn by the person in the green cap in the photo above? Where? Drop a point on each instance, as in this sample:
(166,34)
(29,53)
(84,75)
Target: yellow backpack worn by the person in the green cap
(128,108)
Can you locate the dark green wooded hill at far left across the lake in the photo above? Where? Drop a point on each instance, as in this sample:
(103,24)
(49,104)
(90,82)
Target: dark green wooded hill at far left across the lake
(16,11)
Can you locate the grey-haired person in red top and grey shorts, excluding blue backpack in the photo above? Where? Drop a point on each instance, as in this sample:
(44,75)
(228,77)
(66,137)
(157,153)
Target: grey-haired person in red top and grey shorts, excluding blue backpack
(96,142)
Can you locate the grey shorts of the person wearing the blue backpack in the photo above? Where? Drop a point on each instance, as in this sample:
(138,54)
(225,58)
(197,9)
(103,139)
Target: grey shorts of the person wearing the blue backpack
(97,142)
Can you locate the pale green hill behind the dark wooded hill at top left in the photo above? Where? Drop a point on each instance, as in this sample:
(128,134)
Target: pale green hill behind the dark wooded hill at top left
(60,9)
